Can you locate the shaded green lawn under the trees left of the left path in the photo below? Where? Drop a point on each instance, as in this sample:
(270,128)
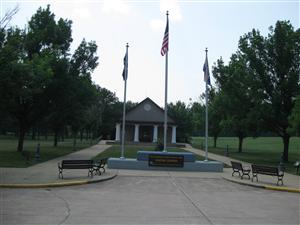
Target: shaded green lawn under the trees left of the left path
(9,157)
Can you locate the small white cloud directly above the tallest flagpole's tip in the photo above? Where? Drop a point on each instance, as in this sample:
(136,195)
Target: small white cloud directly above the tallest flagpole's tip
(173,7)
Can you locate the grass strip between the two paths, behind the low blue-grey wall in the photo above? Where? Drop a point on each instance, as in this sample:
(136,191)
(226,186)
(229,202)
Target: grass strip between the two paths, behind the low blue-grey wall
(130,151)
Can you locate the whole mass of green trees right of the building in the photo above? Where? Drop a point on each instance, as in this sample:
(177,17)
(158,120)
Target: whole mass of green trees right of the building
(258,91)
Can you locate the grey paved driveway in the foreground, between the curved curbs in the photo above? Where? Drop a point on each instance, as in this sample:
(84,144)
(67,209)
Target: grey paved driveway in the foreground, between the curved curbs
(151,198)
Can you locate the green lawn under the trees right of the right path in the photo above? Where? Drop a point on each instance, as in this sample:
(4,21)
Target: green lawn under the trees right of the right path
(262,150)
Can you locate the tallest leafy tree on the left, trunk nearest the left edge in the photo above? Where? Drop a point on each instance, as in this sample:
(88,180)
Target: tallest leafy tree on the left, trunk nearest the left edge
(33,61)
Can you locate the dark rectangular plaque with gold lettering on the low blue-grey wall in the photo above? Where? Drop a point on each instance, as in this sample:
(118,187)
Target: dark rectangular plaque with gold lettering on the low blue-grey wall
(166,160)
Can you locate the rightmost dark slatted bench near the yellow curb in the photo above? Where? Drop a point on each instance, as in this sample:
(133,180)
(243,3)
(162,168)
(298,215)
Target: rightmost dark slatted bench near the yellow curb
(267,170)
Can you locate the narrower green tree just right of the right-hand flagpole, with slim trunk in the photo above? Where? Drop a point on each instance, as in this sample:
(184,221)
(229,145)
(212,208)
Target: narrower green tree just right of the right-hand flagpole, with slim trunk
(236,100)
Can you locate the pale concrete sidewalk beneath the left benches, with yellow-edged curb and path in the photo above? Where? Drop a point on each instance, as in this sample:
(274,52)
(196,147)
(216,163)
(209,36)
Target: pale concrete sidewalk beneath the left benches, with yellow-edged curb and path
(46,174)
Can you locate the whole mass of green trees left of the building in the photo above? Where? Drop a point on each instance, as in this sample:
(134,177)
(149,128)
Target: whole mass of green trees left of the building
(44,87)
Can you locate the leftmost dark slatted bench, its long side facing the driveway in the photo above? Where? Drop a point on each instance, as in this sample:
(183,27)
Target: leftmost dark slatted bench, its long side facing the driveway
(76,164)
